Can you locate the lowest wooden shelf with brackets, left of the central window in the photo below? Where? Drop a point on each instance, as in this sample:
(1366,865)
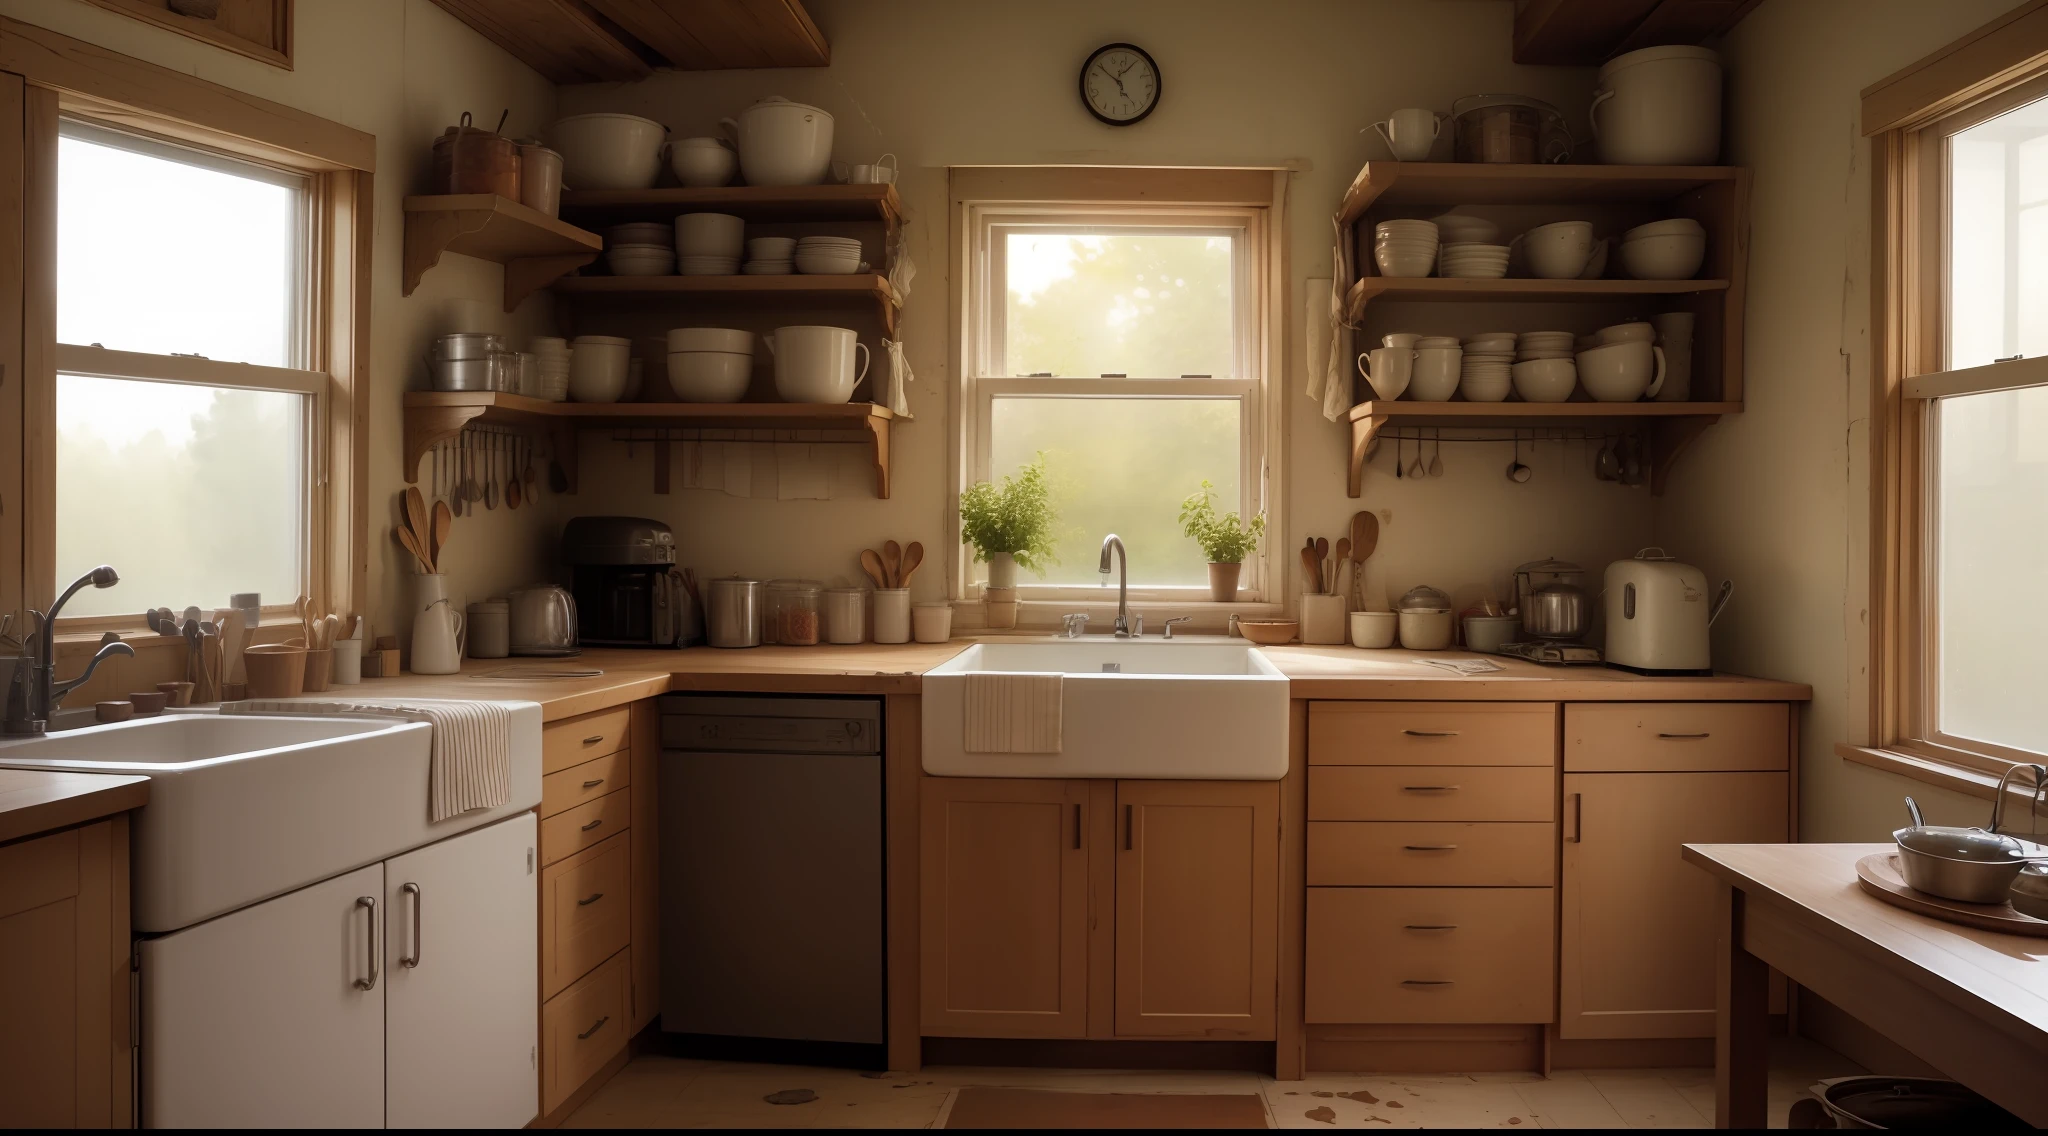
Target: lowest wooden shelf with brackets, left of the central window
(437,417)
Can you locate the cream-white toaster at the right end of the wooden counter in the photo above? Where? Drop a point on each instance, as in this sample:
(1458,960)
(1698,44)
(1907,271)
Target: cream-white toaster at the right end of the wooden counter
(1658,613)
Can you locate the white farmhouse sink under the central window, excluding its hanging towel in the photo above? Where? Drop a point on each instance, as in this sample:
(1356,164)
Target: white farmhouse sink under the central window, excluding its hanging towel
(1132,709)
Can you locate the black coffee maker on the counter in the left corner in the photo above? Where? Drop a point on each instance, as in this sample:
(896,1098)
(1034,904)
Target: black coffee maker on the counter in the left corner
(626,584)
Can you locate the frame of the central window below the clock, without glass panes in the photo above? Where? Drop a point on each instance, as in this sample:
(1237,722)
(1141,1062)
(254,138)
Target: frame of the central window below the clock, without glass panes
(986,204)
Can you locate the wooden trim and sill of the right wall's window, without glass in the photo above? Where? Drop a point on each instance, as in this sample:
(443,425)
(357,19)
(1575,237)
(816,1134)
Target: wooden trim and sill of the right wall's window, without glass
(1908,116)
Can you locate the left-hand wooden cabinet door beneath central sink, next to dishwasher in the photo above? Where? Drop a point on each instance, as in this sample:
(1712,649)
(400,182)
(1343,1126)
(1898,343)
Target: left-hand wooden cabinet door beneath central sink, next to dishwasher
(1005,908)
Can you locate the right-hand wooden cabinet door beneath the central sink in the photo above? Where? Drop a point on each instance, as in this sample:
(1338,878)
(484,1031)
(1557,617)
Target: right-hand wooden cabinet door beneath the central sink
(1197,889)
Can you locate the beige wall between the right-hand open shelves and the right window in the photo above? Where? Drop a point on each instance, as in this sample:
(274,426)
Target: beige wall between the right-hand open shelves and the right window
(1779,496)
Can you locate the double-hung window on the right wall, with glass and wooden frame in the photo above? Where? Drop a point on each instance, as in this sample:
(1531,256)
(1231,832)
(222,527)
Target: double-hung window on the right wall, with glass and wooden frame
(1961,462)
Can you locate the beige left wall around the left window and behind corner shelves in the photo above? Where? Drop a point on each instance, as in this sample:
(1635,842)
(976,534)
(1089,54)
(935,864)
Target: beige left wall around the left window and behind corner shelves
(400,71)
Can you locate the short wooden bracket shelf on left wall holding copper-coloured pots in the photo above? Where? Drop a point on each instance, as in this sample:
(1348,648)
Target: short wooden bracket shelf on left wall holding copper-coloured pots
(534,247)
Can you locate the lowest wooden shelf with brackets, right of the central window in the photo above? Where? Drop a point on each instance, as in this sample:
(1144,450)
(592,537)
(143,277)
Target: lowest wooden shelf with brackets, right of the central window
(1672,427)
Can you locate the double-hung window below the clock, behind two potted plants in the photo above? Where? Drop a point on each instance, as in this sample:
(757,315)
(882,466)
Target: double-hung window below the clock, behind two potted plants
(1117,322)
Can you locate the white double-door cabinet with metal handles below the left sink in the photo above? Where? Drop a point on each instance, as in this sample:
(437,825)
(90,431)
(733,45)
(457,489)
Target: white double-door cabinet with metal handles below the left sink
(304,1010)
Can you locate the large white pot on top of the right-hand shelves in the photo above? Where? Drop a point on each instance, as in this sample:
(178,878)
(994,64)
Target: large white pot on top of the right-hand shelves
(1660,107)
